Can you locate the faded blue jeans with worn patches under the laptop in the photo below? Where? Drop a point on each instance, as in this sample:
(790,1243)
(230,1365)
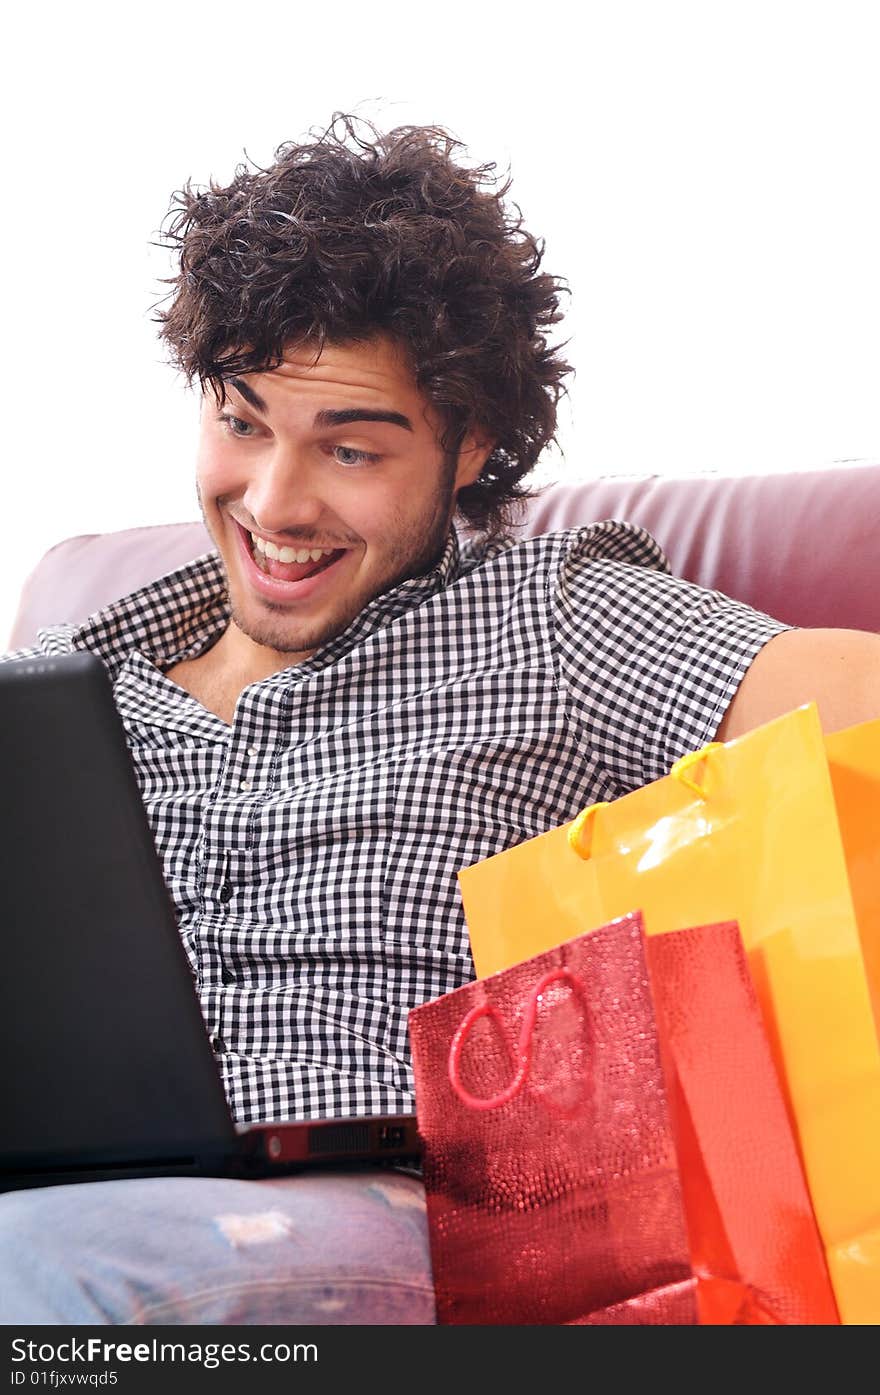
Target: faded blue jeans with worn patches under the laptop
(316,1249)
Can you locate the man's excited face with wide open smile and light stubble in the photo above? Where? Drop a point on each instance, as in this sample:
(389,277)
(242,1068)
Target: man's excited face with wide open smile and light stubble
(338,458)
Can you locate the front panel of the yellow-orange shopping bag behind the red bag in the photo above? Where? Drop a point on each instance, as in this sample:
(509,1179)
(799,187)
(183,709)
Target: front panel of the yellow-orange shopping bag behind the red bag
(747,831)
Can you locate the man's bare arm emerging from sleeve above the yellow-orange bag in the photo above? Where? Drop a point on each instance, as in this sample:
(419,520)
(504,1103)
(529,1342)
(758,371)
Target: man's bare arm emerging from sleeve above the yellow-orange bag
(836,669)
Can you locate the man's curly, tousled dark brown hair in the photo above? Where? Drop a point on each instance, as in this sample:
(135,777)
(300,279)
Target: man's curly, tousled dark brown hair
(358,234)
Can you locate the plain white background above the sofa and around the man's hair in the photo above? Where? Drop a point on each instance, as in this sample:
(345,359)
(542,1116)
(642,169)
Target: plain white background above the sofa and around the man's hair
(705,175)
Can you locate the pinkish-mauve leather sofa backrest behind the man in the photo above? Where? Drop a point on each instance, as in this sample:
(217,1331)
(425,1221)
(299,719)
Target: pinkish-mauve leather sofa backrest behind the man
(804,548)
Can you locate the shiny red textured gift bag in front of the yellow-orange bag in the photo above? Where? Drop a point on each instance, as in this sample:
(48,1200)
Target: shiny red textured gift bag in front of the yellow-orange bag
(606,1142)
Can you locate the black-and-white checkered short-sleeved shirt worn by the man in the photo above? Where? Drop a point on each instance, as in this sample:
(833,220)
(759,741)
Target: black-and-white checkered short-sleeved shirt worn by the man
(312,849)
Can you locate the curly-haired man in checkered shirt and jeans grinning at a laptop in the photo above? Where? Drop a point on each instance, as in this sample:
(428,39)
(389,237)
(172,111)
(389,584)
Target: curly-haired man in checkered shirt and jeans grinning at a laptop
(354,700)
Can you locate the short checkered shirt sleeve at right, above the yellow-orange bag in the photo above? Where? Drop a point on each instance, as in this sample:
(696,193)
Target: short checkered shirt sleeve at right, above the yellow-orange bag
(649,663)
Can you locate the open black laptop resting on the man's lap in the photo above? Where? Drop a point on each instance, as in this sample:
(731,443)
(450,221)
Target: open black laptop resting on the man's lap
(107,1069)
